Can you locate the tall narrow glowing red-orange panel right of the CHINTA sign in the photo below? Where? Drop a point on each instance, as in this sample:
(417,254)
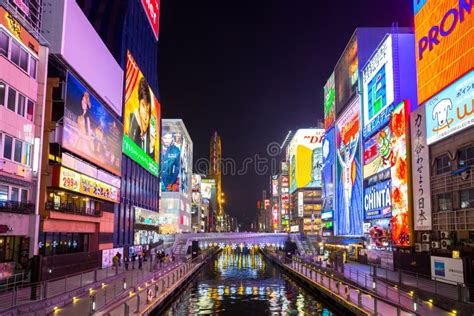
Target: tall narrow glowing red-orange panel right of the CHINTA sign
(400,174)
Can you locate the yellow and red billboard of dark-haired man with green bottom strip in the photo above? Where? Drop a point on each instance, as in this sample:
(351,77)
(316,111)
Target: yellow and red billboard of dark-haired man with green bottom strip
(141,118)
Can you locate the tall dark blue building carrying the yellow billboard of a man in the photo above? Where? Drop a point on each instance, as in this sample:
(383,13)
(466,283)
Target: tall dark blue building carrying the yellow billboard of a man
(136,50)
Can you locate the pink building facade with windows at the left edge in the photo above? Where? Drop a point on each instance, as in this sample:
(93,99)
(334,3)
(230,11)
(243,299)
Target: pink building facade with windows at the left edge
(23,67)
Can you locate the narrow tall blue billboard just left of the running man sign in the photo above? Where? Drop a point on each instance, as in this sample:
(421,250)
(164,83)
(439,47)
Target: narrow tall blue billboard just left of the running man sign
(327,170)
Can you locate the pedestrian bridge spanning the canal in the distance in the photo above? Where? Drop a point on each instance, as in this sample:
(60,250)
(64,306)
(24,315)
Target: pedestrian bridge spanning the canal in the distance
(183,242)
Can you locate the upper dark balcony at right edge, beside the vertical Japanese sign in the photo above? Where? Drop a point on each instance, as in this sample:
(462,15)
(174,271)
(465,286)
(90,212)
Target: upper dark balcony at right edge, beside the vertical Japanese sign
(453,181)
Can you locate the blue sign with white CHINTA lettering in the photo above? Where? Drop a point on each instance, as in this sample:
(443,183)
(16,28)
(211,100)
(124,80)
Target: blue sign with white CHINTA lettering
(377,200)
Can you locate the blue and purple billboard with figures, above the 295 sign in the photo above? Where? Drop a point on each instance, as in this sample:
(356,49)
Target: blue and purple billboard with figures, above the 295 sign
(90,130)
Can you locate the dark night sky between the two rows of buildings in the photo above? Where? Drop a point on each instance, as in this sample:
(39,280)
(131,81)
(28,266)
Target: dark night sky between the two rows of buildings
(254,69)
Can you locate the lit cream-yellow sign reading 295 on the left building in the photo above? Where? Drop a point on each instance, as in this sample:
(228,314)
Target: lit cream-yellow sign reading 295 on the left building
(76,182)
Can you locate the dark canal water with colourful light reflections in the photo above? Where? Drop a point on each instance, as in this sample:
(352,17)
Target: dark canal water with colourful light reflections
(245,284)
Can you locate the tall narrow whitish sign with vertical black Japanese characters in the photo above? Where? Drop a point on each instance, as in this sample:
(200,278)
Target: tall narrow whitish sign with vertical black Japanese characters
(420,171)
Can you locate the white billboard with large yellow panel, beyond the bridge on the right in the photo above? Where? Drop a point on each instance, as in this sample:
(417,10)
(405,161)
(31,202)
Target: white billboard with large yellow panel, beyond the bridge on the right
(305,154)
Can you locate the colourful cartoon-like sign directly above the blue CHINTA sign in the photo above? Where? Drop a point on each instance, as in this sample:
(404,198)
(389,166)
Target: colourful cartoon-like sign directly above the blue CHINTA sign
(378,152)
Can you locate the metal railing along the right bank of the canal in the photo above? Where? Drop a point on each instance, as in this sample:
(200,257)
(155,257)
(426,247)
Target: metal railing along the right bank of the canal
(364,292)
